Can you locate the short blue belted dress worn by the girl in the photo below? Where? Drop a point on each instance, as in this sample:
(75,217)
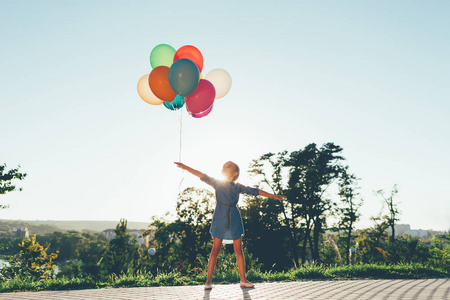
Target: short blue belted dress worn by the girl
(227,220)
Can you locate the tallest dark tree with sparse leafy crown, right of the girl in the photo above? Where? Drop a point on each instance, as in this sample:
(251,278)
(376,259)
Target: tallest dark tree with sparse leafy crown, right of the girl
(310,171)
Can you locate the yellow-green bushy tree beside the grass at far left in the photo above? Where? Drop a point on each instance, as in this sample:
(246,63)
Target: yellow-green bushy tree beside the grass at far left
(32,261)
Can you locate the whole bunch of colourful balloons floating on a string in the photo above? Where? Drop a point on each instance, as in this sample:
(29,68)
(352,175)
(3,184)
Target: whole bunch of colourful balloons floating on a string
(176,79)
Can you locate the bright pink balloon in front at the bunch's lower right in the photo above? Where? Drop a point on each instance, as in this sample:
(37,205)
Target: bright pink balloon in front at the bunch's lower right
(202,98)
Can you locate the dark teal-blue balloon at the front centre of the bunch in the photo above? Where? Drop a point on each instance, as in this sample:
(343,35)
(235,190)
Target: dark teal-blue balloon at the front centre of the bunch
(184,77)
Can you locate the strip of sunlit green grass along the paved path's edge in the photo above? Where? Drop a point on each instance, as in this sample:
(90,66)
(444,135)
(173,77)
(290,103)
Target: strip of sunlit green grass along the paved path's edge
(311,272)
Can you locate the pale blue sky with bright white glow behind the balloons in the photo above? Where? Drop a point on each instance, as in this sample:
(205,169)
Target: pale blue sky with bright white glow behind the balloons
(371,77)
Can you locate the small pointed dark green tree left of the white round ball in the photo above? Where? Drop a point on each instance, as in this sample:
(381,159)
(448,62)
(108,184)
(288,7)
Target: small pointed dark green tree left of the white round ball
(123,252)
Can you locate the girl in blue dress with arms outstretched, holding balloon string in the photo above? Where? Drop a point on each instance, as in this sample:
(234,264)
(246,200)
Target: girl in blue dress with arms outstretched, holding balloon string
(227,221)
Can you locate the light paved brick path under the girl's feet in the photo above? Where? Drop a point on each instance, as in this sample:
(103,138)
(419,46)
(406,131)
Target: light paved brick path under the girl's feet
(345,289)
